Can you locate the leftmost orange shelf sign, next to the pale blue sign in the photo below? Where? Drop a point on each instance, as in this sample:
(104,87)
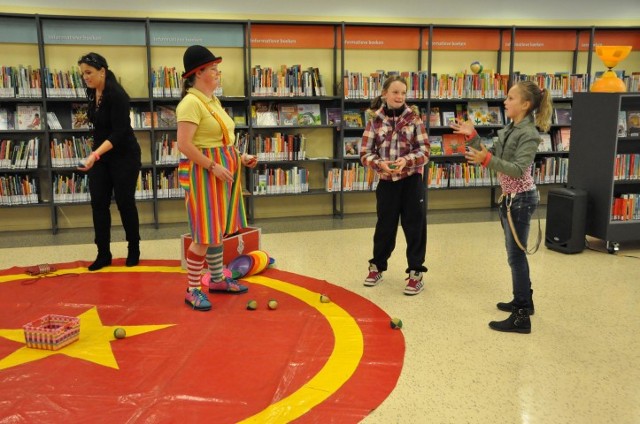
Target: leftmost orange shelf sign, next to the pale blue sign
(292,36)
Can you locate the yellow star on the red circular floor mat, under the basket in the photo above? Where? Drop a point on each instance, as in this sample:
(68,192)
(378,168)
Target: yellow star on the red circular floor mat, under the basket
(94,344)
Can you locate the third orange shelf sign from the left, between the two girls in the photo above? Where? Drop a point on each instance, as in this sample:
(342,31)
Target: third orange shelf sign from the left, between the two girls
(463,39)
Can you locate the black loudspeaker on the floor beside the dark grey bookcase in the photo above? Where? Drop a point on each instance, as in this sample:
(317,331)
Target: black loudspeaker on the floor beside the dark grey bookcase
(566,220)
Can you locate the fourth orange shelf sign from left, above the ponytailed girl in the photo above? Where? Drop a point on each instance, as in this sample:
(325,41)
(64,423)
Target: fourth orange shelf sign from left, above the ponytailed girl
(547,40)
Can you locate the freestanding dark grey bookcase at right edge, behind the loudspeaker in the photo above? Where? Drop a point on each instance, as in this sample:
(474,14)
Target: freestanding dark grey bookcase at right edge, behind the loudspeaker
(604,163)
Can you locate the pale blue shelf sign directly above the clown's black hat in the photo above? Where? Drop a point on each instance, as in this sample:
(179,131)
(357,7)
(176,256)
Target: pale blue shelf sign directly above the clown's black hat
(188,34)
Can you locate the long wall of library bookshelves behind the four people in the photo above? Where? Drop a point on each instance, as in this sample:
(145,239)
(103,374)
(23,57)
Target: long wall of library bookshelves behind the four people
(139,50)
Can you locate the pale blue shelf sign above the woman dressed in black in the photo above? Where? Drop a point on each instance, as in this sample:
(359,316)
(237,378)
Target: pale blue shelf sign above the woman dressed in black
(94,33)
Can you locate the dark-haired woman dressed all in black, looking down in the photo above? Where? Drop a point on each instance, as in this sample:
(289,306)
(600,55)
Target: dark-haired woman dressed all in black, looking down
(115,160)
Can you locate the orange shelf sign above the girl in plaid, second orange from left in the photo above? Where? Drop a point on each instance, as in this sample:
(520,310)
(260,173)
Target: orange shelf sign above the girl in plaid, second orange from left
(380,38)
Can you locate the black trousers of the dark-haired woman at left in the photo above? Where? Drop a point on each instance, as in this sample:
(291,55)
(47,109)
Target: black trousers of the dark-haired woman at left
(116,178)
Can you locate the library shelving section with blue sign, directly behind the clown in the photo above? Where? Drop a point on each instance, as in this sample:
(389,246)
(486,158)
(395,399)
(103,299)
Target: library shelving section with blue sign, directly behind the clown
(167,42)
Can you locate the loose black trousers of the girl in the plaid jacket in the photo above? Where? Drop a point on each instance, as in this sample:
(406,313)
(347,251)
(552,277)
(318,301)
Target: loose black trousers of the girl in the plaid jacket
(402,200)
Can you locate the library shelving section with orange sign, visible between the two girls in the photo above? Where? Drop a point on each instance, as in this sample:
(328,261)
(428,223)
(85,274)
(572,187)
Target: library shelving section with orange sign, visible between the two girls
(454,91)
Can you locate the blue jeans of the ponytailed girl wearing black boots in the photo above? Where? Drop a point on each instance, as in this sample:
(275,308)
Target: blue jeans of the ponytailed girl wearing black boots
(523,205)
